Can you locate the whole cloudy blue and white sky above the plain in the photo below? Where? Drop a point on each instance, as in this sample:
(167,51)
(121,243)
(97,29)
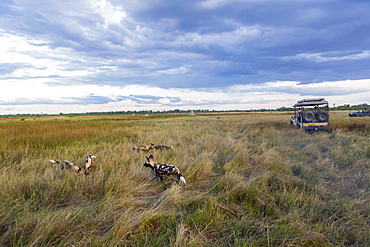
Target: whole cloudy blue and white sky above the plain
(68,56)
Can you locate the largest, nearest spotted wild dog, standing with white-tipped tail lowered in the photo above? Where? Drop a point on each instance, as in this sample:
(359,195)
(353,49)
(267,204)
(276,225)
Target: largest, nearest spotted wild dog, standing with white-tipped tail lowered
(164,169)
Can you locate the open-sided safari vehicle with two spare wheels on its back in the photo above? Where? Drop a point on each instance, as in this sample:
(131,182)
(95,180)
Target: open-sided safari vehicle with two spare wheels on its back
(312,115)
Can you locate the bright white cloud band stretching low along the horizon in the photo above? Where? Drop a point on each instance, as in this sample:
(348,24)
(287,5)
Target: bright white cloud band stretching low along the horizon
(265,95)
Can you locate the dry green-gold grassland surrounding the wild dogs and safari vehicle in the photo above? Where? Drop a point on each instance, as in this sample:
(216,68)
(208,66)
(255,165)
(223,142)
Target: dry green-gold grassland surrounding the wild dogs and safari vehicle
(253,180)
